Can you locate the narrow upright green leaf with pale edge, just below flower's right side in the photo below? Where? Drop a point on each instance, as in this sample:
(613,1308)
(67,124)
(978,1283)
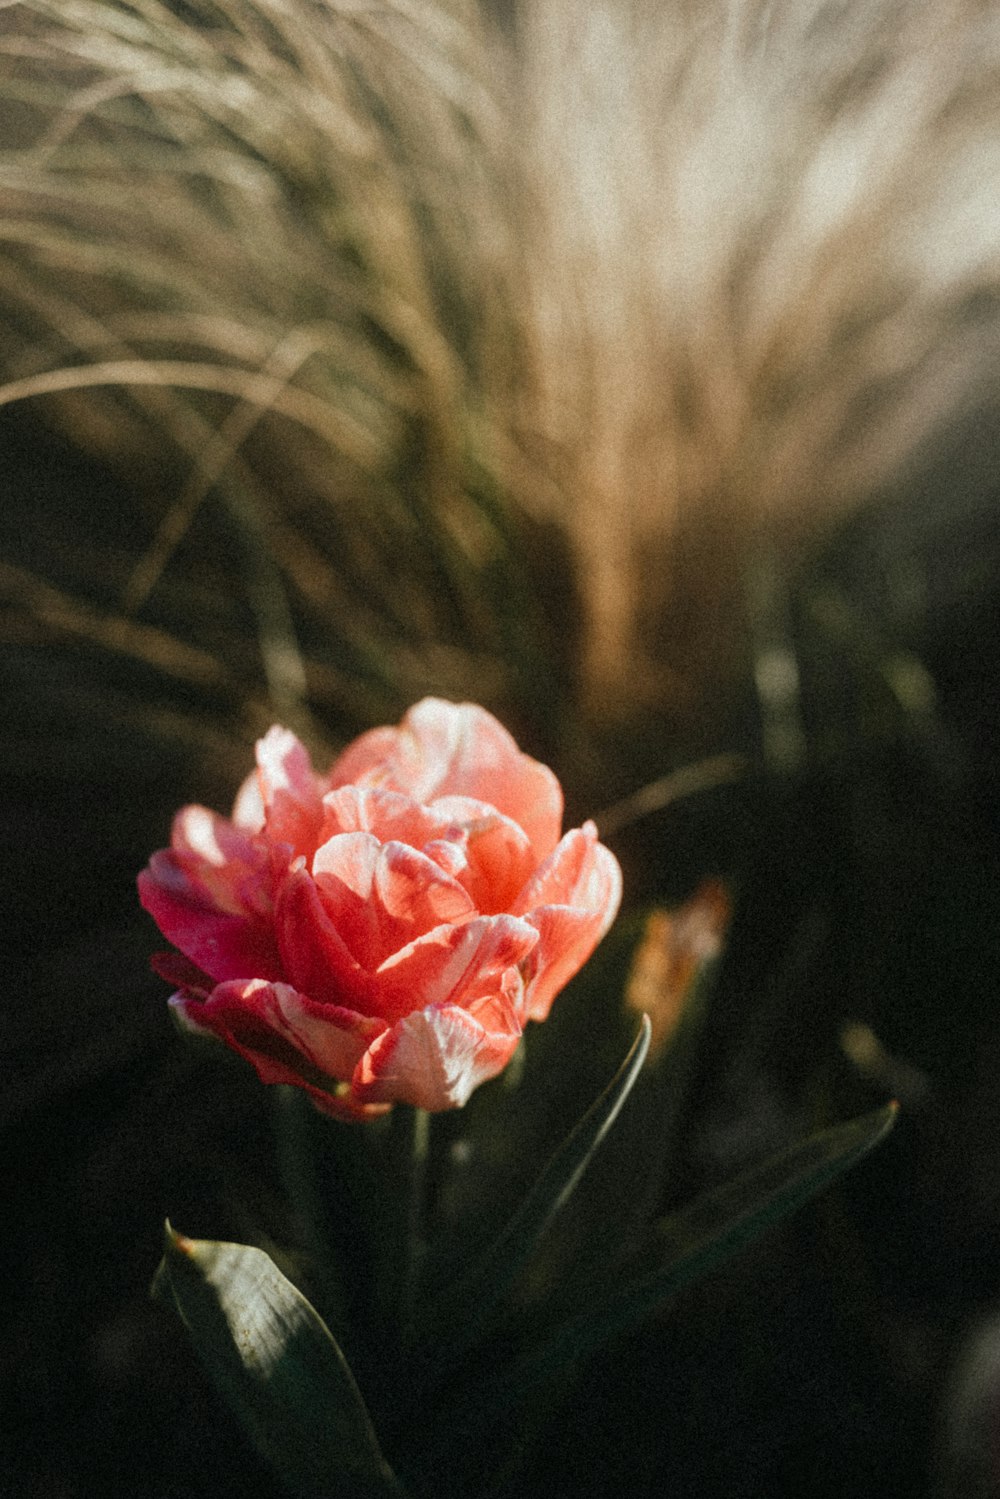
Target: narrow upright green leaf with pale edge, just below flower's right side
(467,1308)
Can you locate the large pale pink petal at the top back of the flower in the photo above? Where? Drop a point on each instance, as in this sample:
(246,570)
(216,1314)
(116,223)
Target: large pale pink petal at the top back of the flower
(458,750)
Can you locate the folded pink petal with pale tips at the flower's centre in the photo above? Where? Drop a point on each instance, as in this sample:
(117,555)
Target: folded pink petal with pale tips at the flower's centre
(382,897)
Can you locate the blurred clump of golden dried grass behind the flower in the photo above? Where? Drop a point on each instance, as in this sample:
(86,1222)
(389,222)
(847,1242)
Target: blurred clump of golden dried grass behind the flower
(427,305)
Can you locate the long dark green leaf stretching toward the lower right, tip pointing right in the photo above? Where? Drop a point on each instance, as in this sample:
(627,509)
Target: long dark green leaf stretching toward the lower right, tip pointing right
(696,1240)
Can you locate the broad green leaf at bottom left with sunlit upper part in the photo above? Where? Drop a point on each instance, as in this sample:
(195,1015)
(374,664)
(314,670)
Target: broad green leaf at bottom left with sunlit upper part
(278,1366)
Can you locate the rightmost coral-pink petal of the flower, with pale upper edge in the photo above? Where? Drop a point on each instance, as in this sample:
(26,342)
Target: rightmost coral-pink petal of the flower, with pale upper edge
(572,902)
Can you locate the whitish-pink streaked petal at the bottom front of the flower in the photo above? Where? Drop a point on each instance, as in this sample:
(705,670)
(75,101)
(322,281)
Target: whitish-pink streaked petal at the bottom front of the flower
(436,1059)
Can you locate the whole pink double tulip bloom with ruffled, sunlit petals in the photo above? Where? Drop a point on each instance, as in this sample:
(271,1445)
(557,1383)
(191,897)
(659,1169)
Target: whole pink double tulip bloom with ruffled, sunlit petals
(382,933)
